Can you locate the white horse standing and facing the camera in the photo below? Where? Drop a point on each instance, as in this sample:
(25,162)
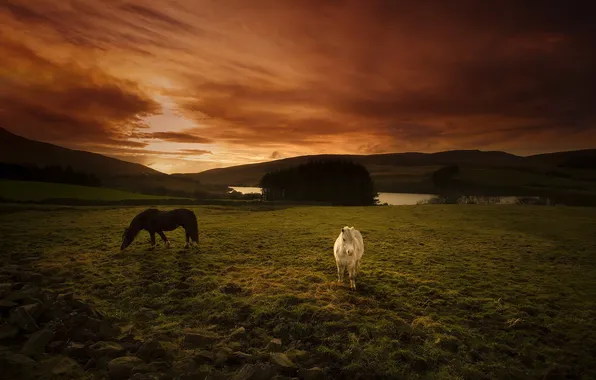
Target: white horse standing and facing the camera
(348,250)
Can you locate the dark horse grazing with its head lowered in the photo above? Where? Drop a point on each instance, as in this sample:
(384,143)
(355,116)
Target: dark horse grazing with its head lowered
(156,221)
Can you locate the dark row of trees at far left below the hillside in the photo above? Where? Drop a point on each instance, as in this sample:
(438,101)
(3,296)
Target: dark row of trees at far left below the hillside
(50,173)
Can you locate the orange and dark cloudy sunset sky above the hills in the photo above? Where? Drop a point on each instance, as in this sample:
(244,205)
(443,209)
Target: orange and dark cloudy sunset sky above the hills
(190,85)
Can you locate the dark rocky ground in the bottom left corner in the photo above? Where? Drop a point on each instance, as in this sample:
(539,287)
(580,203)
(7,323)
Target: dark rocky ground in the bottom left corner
(47,334)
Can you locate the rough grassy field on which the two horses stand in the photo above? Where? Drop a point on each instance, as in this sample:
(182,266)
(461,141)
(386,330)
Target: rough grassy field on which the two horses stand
(446,291)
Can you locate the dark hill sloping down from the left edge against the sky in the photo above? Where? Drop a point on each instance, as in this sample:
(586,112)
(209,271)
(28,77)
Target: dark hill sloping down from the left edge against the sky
(18,149)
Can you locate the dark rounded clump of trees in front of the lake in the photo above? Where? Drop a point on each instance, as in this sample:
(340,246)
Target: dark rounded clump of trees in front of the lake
(335,181)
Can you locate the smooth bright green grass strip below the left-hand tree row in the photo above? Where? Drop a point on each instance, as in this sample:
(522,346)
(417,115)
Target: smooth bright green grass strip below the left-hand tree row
(38,191)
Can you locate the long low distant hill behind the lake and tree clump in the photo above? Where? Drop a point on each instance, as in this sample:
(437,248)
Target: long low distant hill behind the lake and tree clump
(482,171)
